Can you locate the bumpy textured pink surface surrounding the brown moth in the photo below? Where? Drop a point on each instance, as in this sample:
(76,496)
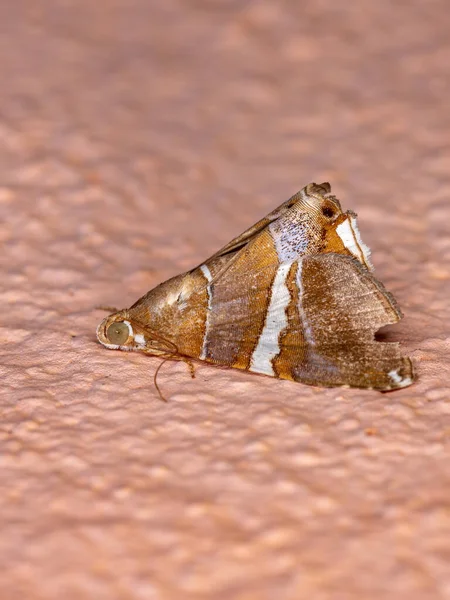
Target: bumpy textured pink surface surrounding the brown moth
(136,140)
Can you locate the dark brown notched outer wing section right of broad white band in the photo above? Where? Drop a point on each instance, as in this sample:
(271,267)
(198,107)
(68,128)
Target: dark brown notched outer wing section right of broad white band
(340,308)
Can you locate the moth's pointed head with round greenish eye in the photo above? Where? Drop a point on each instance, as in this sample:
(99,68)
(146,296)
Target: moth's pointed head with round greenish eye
(120,332)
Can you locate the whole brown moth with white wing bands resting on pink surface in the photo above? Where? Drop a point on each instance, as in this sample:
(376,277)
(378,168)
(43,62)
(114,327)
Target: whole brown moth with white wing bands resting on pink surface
(293,297)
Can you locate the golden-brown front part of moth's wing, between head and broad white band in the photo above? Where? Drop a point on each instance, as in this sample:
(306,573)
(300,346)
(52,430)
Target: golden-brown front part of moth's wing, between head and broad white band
(217,319)
